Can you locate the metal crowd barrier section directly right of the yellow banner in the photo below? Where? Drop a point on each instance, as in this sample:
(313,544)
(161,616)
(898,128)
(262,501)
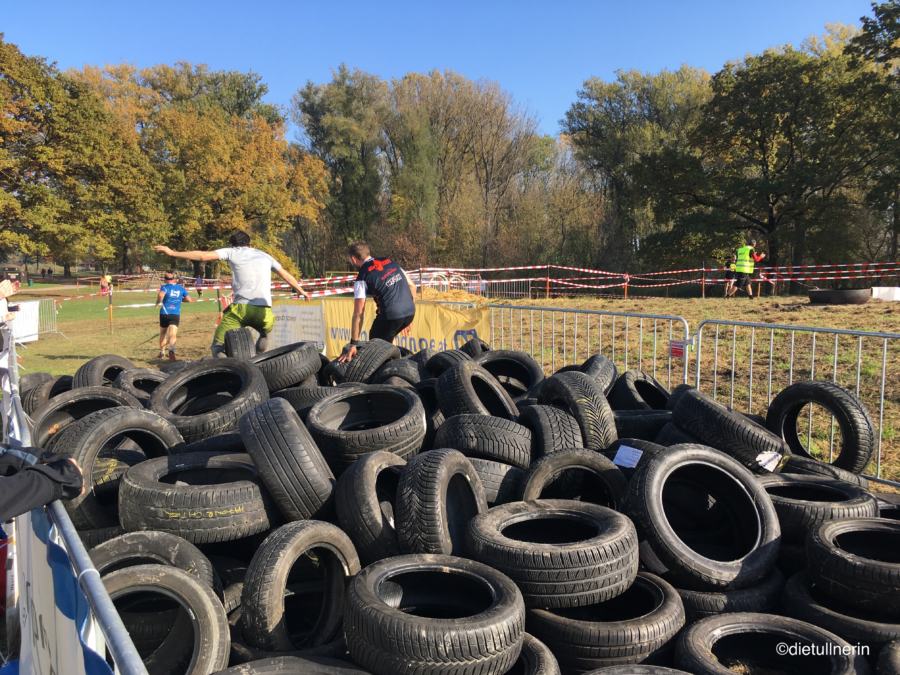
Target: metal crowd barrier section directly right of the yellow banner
(557,337)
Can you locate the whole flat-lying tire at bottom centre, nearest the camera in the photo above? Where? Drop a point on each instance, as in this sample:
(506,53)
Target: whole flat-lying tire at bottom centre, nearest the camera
(386,633)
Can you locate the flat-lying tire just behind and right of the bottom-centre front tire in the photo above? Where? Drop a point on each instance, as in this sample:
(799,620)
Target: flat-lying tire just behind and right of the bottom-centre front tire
(560,553)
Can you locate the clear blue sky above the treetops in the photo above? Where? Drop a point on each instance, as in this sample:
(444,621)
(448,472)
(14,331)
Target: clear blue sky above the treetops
(540,52)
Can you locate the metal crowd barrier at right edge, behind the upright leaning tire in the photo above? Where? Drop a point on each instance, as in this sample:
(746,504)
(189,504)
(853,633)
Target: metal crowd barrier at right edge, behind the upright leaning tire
(747,364)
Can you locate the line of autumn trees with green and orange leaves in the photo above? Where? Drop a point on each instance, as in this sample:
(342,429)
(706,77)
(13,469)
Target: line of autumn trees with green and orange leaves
(796,147)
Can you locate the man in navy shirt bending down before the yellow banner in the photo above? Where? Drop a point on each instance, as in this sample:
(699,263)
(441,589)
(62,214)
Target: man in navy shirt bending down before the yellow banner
(385,281)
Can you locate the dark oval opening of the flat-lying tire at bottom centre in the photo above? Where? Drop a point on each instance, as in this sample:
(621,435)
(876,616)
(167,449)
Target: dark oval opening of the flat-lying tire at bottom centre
(434,594)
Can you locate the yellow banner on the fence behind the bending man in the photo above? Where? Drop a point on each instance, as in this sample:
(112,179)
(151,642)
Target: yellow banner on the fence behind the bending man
(436,326)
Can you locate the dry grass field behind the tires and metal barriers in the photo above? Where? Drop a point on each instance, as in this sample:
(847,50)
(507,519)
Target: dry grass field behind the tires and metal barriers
(724,371)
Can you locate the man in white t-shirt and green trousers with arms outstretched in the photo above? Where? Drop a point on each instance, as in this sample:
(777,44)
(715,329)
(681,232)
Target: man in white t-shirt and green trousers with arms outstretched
(251,284)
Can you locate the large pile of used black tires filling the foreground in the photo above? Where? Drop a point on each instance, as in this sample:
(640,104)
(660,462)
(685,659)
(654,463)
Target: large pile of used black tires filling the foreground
(460,513)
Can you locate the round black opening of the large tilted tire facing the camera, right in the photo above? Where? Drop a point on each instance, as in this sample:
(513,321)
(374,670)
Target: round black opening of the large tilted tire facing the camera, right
(711,512)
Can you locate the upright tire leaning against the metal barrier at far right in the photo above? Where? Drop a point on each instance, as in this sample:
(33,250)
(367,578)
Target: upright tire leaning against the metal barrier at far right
(857,433)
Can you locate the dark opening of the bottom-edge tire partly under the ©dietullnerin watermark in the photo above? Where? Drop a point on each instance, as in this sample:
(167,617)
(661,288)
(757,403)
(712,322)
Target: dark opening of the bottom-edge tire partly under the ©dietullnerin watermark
(758,653)
